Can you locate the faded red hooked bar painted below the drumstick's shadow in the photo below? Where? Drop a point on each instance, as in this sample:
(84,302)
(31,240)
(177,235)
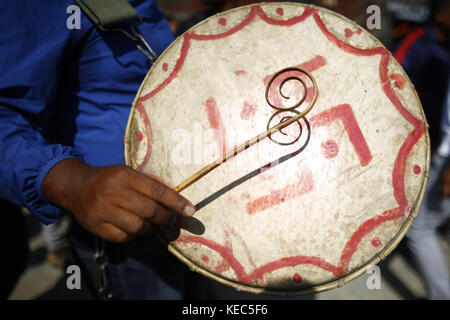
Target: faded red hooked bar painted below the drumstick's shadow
(275,197)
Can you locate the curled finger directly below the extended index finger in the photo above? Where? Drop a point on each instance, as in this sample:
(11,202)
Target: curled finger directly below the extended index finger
(146,208)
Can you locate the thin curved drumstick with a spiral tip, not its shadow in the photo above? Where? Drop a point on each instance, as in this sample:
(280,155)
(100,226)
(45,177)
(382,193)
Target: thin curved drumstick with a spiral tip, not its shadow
(269,132)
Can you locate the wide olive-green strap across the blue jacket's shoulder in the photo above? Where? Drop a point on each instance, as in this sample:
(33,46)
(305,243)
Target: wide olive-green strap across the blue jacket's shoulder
(107,14)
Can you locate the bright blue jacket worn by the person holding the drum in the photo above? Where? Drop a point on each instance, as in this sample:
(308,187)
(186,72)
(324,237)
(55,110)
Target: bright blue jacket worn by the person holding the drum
(64,93)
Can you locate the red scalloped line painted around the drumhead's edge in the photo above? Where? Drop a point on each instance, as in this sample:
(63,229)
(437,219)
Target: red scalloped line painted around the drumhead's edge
(399,164)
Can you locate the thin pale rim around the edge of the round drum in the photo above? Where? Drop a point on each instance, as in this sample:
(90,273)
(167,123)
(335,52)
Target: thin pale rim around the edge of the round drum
(324,286)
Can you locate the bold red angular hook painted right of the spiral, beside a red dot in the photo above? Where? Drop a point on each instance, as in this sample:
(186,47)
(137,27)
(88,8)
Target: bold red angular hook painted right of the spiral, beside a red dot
(345,113)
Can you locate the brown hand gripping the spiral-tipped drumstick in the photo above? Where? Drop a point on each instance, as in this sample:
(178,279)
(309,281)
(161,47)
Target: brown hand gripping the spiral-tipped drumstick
(114,202)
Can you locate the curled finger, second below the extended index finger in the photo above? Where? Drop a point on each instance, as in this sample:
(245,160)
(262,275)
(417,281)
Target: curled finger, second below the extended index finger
(127,222)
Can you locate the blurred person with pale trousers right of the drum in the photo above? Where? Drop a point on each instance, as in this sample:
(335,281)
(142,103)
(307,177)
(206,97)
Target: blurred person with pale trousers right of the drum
(425,56)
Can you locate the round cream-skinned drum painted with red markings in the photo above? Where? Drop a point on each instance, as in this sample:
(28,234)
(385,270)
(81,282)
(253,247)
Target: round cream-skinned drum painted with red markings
(313,205)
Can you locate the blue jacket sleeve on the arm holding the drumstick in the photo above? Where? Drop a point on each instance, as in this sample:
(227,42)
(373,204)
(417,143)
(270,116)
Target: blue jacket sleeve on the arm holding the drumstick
(34,47)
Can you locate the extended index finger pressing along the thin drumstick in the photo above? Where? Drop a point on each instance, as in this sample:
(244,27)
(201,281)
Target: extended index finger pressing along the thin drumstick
(163,194)
